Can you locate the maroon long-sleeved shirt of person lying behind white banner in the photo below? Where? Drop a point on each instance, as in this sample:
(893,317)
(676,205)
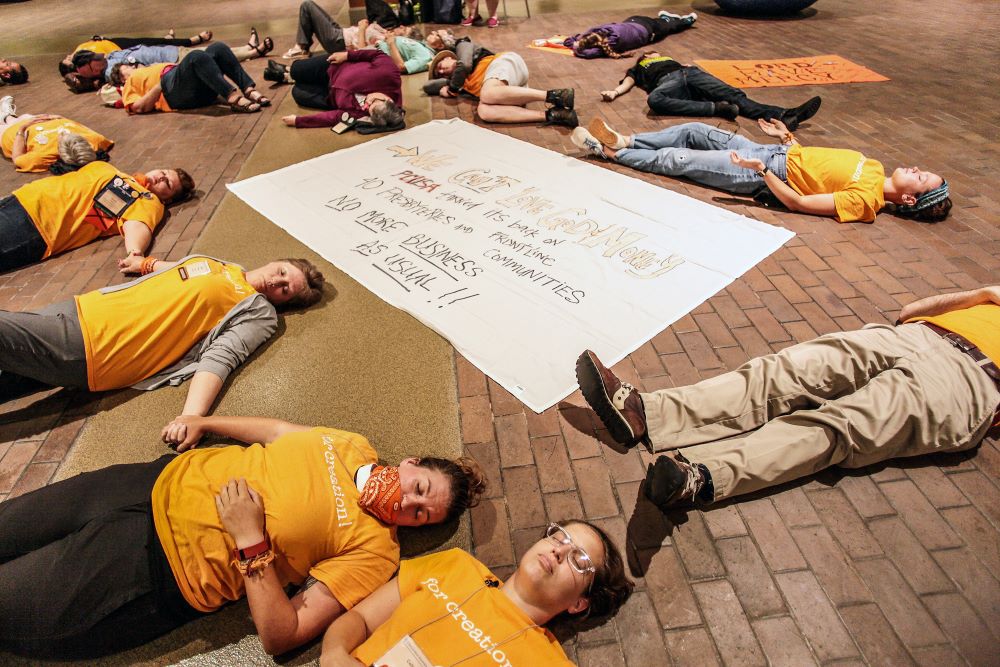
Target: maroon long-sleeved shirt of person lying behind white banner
(366,71)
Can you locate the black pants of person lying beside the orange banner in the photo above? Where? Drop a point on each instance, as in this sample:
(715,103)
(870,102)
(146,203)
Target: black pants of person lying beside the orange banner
(691,91)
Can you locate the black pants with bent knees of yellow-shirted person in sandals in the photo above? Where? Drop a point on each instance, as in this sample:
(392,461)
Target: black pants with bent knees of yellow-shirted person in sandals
(200,78)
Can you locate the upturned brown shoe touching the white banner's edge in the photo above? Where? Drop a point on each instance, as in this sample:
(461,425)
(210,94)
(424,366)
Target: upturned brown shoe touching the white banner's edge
(617,403)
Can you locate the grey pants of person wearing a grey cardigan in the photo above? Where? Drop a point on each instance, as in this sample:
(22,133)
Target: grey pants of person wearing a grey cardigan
(46,346)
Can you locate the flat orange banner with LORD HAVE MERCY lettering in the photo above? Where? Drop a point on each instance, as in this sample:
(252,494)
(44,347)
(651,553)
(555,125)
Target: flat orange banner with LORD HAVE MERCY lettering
(804,71)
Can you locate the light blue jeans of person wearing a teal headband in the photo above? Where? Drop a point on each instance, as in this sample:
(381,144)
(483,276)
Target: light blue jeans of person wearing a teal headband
(701,152)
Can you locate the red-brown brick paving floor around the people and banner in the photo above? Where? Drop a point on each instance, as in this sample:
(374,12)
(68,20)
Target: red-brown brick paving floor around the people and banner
(897,564)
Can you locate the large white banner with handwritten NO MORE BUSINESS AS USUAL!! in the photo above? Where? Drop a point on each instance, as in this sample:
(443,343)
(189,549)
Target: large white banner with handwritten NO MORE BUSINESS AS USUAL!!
(520,256)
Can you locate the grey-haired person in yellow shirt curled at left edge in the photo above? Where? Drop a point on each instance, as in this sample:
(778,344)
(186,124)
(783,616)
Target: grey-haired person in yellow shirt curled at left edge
(36,142)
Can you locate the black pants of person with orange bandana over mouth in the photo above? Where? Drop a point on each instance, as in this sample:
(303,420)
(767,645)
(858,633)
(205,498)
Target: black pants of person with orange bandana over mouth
(82,572)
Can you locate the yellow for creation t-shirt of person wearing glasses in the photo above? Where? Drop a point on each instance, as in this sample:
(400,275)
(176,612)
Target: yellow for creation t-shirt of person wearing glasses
(437,587)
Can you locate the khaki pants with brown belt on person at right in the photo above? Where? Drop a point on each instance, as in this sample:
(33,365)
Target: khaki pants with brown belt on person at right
(849,399)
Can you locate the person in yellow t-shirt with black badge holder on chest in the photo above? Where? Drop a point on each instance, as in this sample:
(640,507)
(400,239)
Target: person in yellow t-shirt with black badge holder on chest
(54,214)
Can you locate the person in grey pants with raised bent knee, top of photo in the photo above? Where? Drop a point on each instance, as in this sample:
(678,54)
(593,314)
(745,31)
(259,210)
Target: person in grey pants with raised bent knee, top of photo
(315,23)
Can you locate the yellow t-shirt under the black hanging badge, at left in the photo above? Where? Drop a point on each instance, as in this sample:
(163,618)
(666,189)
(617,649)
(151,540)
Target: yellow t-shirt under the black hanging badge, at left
(62,207)
